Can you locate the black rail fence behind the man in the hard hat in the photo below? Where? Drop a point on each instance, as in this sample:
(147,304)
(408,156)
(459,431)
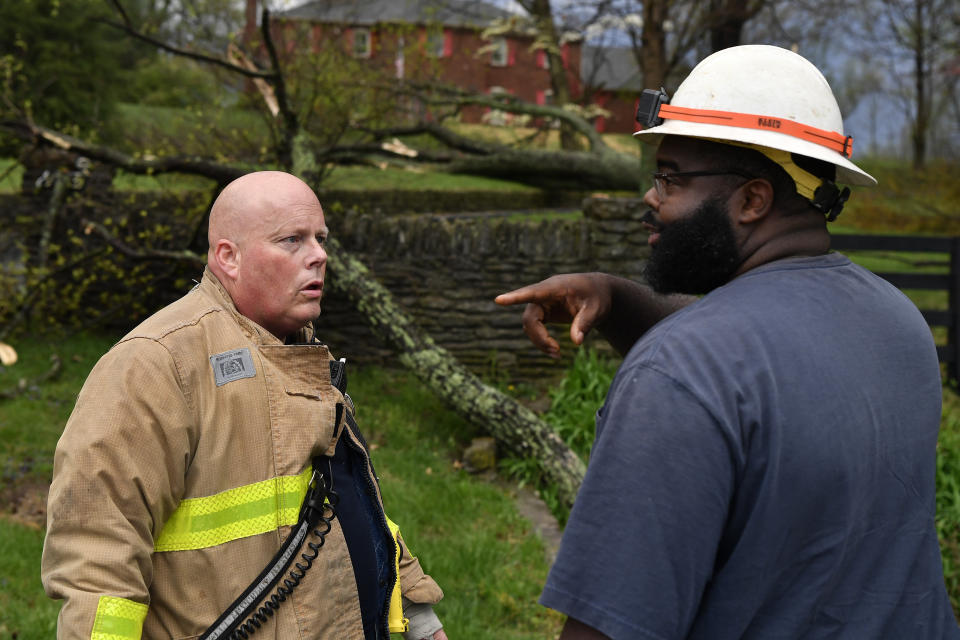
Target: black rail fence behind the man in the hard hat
(949,282)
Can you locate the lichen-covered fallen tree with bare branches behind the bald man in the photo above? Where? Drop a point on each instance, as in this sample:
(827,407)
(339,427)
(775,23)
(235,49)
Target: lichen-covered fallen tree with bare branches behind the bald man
(520,430)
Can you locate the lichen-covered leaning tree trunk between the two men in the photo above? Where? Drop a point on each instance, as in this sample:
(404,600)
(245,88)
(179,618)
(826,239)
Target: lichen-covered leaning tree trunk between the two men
(512,424)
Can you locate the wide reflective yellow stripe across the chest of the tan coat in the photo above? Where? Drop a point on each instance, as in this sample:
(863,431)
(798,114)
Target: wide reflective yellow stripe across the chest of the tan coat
(233,514)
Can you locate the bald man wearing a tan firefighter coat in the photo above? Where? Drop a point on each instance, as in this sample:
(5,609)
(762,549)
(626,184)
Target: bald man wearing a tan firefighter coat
(181,472)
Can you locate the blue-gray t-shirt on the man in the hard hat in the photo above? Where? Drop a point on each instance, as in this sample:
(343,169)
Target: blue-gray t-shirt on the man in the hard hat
(764,468)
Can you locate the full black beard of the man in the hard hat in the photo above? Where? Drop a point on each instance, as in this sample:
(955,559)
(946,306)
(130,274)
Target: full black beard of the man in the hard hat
(694,255)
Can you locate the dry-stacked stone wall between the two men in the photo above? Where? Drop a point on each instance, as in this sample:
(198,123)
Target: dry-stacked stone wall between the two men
(446,270)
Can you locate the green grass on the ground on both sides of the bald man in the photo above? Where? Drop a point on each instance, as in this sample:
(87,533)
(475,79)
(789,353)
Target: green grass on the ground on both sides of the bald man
(466,532)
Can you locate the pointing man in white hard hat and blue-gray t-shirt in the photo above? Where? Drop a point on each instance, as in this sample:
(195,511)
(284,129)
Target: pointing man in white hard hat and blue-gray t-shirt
(764,463)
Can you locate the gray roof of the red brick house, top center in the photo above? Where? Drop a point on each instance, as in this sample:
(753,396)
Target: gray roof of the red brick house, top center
(452,13)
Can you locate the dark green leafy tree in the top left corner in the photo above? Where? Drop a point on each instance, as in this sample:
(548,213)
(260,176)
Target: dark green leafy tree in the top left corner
(60,64)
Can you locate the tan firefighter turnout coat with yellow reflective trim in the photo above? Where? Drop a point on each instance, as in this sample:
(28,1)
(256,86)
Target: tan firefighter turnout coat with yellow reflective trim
(153,427)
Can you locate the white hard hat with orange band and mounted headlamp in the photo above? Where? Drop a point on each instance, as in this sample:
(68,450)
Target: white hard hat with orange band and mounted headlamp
(757,95)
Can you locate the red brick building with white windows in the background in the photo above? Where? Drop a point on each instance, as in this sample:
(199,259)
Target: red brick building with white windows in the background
(440,41)
